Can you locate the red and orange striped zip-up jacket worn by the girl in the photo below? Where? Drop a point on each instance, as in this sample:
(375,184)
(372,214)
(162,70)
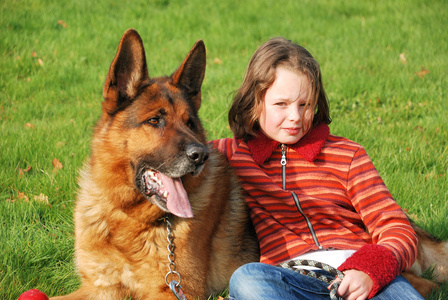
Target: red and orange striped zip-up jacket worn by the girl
(342,203)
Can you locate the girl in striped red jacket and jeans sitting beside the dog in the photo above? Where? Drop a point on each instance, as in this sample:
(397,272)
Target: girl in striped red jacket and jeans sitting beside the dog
(311,194)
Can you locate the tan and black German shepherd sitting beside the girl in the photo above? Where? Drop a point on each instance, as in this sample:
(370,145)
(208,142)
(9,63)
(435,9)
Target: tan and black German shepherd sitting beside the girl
(156,205)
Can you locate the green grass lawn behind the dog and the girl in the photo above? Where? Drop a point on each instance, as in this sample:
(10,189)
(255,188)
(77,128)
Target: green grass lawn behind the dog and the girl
(51,77)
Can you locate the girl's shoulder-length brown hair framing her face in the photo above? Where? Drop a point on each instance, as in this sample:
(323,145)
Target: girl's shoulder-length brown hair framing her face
(260,75)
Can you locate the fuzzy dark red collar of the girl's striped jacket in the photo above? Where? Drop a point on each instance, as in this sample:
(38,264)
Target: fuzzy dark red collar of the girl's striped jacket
(309,146)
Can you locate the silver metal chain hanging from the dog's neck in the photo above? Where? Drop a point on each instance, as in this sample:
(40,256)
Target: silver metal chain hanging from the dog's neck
(174,285)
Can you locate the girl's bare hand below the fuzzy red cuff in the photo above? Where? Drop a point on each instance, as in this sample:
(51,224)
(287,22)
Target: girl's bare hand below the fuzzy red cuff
(356,285)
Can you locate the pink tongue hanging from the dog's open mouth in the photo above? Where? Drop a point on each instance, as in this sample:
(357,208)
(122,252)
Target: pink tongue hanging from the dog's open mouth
(177,200)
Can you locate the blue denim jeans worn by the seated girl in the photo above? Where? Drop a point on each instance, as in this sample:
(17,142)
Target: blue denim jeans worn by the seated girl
(262,281)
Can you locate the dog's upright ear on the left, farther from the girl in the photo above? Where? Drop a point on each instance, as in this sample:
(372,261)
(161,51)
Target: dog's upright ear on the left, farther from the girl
(126,74)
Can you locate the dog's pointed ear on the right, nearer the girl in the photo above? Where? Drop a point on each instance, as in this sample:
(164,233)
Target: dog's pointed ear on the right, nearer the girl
(190,74)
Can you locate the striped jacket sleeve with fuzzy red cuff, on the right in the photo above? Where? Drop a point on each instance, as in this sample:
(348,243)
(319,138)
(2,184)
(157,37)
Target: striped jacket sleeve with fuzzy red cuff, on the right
(391,232)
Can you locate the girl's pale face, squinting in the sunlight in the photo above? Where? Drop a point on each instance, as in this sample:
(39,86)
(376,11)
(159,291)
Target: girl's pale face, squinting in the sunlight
(285,117)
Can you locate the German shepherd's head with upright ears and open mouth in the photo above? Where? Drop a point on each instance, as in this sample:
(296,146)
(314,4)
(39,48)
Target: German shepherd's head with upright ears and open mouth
(152,124)
